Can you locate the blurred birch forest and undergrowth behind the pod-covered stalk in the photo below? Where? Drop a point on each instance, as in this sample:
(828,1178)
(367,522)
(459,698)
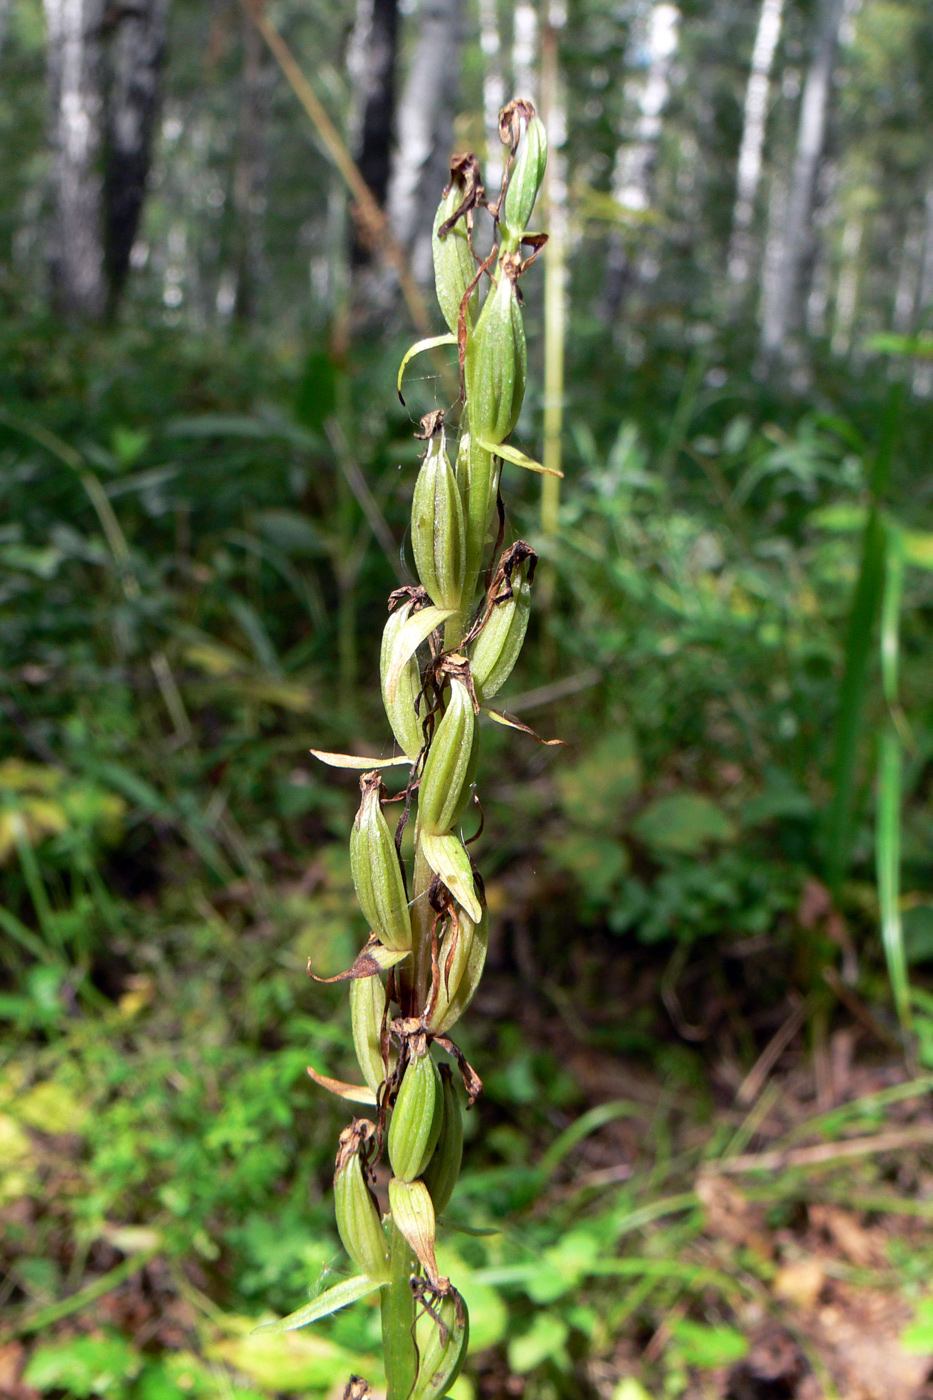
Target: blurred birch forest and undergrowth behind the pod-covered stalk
(705,1151)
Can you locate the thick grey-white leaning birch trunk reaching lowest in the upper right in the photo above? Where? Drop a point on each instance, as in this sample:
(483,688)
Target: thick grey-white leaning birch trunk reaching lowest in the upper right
(782,310)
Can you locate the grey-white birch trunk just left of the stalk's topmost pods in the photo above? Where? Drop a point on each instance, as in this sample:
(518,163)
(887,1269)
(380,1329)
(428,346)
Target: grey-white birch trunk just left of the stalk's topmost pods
(425,125)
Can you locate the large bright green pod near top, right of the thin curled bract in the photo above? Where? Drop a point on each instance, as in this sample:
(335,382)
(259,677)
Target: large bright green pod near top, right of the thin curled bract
(497,362)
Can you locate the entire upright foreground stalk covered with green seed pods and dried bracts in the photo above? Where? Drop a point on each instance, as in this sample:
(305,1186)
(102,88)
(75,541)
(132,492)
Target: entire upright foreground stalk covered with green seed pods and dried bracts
(449,646)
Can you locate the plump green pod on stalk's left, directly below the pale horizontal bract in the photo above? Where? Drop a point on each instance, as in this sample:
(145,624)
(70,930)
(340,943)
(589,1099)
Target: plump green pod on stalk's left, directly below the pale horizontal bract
(378,873)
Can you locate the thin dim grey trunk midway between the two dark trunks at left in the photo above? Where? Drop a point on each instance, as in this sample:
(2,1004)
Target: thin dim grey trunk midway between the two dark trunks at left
(249,171)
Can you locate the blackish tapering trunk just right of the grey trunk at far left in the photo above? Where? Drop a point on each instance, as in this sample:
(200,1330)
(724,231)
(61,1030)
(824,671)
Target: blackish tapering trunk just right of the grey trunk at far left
(138,50)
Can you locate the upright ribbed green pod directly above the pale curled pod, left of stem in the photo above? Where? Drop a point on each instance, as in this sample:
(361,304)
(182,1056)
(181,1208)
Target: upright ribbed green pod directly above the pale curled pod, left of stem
(438,527)
